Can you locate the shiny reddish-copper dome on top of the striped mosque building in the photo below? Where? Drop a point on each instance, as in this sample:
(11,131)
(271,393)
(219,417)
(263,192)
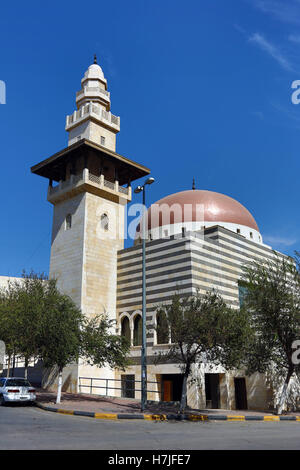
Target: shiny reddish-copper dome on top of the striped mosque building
(217,208)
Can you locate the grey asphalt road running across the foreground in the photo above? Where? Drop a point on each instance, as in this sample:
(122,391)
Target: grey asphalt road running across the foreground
(25,427)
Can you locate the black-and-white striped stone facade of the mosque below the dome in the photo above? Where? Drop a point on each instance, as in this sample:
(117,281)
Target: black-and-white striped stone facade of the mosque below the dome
(188,263)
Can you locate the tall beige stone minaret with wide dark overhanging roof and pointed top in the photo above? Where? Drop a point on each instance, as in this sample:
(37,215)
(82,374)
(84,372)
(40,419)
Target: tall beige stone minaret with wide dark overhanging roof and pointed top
(89,199)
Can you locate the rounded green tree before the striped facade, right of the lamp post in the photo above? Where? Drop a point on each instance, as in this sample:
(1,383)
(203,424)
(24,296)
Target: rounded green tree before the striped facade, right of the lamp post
(203,328)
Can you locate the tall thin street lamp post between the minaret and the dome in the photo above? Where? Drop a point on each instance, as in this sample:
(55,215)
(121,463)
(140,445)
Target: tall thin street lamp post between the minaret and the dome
(143,351)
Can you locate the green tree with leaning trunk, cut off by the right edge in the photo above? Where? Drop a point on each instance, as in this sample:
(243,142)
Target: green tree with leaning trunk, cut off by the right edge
(272,300)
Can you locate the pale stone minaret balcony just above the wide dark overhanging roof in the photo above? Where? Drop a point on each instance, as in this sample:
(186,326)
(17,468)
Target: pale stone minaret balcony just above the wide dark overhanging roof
(96,113)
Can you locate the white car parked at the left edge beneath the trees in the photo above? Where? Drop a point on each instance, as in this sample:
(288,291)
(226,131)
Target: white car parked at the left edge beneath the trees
(16,390)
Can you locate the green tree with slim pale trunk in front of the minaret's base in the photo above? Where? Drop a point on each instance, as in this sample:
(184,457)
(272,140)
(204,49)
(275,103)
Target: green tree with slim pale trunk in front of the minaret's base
(68,335)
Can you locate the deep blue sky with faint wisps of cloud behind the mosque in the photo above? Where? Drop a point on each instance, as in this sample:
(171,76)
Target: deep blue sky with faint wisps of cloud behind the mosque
(203,90)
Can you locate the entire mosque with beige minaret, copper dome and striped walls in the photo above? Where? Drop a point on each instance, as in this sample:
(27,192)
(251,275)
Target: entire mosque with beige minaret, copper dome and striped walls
(197,240)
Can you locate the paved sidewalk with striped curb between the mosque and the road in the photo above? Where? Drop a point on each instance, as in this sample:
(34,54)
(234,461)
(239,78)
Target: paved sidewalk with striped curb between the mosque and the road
(106,405)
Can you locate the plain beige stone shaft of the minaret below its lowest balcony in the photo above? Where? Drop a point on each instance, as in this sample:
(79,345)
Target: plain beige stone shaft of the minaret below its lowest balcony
(84,258)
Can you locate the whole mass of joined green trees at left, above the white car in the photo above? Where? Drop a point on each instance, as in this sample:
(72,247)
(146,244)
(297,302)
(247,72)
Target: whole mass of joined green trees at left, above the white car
(37,320)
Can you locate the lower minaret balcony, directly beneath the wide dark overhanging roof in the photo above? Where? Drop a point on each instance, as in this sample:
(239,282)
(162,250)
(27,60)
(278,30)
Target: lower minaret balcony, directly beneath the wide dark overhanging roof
(88,182)
